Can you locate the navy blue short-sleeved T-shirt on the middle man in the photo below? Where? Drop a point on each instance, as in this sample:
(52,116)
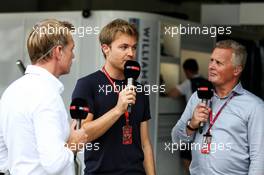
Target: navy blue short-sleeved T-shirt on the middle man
(112,157)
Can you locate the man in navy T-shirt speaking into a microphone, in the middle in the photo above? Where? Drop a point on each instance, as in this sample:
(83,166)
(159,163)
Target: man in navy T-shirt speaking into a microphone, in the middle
(106,121)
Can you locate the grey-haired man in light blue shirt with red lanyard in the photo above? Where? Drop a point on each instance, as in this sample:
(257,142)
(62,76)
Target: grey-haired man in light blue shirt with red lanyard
(233,135)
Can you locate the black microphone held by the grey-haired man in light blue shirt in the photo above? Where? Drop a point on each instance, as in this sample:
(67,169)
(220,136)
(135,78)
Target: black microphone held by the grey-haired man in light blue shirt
(205,93)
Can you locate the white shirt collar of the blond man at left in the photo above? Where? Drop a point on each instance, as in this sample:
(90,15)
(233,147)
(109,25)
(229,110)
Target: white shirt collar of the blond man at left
(32,69)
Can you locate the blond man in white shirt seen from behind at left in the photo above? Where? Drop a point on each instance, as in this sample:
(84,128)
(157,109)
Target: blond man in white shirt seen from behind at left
(33,119)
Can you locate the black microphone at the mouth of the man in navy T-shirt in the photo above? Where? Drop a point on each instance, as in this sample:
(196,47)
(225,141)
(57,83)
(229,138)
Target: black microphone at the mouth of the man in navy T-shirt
(131,72)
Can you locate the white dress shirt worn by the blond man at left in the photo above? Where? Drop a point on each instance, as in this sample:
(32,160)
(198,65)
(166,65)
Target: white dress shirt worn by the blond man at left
(35,126)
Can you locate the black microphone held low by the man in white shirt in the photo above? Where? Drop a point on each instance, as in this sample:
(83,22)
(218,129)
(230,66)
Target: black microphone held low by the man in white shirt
(79,110)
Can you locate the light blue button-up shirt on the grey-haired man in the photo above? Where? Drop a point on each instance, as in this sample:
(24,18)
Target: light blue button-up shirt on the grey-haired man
(237,136)
